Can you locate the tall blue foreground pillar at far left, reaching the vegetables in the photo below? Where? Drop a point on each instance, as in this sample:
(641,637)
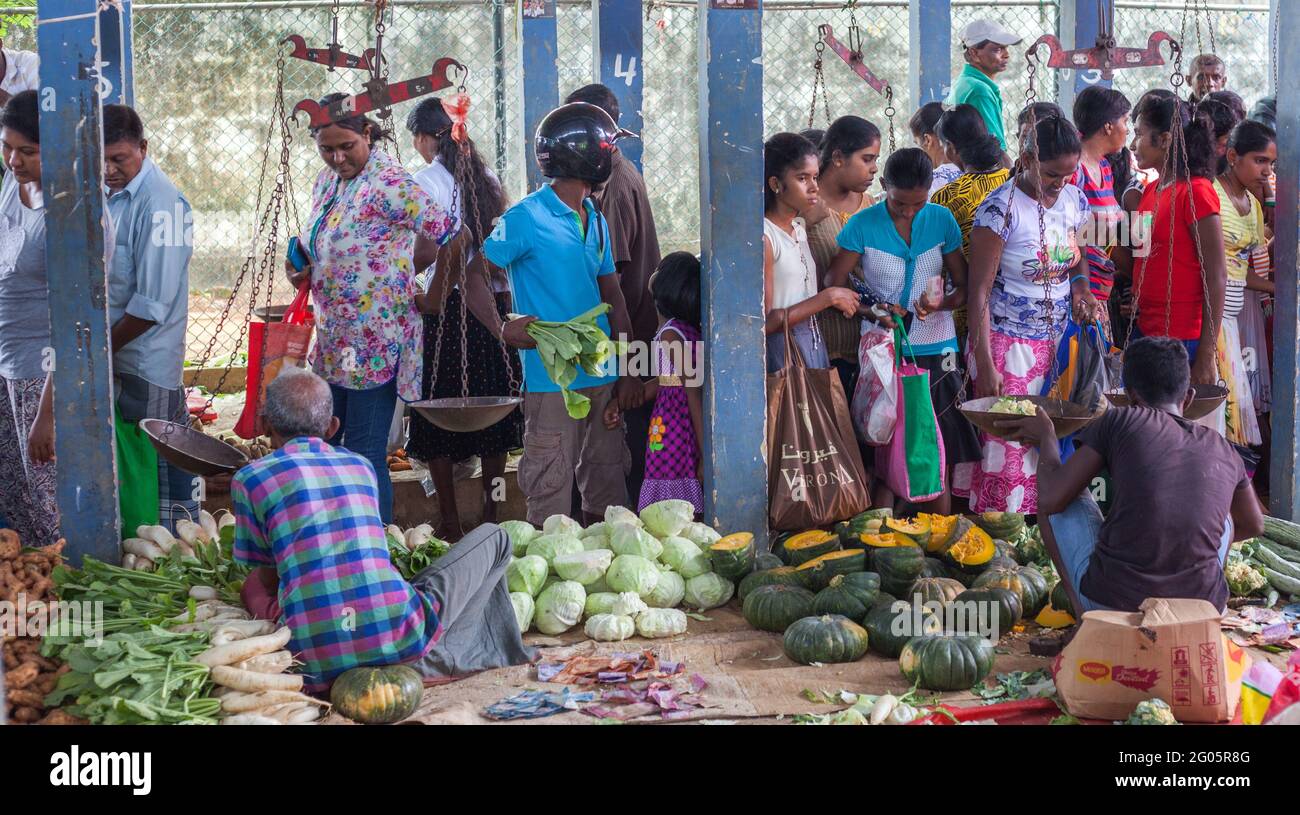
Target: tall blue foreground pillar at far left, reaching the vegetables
(72,183)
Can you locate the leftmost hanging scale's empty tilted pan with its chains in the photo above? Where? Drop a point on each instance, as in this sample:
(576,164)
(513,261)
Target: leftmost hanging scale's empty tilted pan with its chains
(177,443)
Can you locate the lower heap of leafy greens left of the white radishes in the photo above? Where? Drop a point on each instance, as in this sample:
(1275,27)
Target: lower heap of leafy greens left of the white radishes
(138,678)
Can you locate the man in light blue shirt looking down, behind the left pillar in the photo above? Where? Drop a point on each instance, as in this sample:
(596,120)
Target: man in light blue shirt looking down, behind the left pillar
(149,288)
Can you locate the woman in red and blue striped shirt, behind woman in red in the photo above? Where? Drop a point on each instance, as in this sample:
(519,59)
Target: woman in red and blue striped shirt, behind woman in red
(1102,116)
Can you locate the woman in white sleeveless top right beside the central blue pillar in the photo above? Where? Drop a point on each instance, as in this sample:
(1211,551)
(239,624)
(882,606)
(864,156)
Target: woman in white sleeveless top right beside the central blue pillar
(790,276)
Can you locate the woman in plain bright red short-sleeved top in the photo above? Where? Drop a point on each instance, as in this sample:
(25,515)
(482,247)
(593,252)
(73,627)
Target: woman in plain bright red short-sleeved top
(1182,279)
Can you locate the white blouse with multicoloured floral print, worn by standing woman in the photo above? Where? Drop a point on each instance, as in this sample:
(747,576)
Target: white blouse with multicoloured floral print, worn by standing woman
(362,237)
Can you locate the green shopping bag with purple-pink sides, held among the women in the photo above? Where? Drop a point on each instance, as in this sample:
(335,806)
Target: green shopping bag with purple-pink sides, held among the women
(915,458)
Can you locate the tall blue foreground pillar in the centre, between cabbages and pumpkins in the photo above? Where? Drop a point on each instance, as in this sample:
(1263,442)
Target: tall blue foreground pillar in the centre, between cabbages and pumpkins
(731,236)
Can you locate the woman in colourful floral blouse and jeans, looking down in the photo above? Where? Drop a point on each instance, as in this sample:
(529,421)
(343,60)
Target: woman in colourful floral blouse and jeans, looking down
(372,228)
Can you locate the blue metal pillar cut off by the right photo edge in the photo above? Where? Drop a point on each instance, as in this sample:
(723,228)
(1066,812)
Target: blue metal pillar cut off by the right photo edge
(1284,495)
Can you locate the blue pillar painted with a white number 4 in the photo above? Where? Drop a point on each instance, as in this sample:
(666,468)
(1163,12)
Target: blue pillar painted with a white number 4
(617,55)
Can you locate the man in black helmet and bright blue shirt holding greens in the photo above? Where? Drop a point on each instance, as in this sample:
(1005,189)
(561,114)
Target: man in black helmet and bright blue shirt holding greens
(556,248)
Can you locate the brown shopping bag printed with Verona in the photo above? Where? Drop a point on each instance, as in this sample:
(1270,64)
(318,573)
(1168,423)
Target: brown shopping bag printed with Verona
(816,475)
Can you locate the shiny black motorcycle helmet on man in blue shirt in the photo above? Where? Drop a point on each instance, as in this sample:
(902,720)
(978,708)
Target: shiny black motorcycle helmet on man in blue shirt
(577,141)
